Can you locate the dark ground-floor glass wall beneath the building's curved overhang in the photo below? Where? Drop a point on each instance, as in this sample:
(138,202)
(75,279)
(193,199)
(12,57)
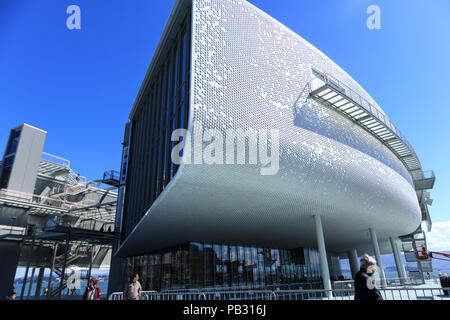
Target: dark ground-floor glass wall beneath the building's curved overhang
(205,265)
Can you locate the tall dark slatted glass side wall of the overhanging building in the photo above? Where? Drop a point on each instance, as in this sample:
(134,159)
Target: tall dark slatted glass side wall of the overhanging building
(162,108)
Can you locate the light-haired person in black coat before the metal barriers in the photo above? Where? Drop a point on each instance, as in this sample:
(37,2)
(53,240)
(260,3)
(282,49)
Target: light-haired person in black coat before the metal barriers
(365,288)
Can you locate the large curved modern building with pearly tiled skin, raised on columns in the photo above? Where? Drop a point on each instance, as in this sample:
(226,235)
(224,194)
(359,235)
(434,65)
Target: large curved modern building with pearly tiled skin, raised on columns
(348,181)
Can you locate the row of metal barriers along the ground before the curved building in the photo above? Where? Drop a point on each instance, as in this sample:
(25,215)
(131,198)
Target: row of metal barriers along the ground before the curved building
(335,294)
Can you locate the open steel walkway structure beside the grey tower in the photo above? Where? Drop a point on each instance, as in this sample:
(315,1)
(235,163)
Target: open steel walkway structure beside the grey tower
(78,218)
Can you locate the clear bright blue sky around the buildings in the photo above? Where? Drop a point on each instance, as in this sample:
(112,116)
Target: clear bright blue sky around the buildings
(80,85)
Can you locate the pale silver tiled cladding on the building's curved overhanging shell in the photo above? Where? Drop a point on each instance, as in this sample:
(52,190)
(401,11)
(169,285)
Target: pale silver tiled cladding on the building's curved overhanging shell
(248,71)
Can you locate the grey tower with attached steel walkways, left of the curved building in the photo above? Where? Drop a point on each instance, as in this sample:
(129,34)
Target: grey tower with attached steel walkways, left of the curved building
(51,217)
